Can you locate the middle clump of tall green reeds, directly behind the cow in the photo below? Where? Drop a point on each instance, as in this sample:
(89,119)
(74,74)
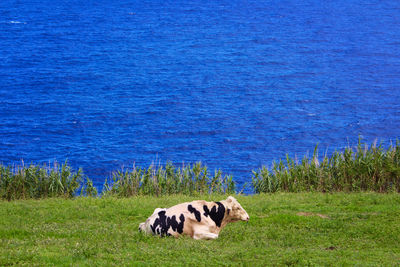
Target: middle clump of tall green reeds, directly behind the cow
(159,180)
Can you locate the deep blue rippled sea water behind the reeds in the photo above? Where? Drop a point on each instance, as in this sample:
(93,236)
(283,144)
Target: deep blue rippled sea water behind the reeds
(234,84)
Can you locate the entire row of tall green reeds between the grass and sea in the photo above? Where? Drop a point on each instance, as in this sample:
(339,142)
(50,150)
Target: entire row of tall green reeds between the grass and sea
(362,168)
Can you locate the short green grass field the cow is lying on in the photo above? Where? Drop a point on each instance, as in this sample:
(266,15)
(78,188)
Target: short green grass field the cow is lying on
(364,229)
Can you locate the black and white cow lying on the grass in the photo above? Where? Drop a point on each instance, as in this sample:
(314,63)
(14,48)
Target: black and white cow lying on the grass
(198,219)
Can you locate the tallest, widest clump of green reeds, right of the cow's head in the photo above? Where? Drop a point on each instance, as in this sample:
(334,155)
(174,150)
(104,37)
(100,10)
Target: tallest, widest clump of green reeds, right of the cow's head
(363,168)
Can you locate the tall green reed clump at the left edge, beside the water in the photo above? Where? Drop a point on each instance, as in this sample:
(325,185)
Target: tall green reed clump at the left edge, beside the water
(22,182)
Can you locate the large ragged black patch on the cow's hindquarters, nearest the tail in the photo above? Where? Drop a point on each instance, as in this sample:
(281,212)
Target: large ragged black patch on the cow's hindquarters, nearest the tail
(163,223)
